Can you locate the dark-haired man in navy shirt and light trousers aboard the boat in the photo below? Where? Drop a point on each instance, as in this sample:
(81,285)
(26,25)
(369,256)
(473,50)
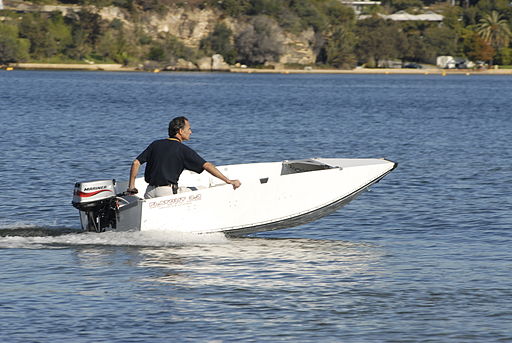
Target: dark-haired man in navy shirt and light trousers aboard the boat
(167,158)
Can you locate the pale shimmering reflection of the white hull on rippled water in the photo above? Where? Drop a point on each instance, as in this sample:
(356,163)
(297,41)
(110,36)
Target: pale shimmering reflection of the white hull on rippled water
(263,263)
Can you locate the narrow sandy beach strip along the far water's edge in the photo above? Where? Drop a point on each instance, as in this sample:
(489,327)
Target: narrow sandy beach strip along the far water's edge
(385,71)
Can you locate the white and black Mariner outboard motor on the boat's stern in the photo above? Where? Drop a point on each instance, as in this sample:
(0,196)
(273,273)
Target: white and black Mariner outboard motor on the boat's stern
(96,201)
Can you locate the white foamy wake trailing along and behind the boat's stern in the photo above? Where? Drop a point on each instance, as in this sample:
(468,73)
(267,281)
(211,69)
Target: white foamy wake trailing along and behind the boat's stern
(37,237)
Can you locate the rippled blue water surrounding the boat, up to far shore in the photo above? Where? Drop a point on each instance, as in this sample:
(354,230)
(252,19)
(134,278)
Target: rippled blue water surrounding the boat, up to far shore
(424,257)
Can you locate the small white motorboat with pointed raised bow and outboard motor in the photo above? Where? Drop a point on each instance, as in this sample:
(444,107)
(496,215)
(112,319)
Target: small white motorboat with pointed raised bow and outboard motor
(273,195)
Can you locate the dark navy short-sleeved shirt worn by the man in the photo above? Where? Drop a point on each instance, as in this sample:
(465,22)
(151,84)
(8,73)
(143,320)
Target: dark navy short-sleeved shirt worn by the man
(167,158)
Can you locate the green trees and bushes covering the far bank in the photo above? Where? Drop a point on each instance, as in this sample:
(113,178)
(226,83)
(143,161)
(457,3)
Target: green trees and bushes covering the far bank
(477,30)
